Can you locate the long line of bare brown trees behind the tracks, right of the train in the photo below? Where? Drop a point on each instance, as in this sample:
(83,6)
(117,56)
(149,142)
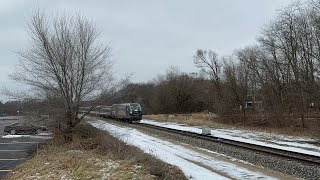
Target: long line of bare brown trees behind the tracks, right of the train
(275,81)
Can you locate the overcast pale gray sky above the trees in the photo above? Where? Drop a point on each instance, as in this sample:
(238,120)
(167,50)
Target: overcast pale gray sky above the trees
(147,36)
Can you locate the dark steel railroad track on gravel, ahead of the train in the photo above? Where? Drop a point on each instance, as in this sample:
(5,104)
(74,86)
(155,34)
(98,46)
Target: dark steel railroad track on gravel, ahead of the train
(301,157)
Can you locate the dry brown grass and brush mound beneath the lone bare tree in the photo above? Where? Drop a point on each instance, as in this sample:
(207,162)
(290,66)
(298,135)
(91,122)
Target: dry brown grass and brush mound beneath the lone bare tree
(93,154)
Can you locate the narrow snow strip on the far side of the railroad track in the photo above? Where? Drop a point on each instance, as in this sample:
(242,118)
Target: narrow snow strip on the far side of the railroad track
(290,143)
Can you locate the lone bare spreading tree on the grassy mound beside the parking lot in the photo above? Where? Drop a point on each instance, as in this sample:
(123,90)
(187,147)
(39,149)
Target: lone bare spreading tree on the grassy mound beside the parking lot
(65,60)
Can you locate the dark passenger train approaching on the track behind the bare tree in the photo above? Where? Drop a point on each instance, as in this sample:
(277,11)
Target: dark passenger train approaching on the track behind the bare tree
(129,112)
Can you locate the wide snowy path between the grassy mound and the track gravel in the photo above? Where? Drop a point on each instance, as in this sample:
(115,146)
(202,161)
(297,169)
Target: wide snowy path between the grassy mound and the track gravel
(194,164)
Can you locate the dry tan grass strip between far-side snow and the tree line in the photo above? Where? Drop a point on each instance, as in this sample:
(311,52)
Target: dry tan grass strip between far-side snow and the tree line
(204,119)
